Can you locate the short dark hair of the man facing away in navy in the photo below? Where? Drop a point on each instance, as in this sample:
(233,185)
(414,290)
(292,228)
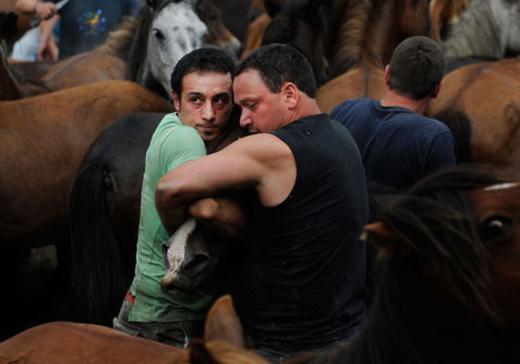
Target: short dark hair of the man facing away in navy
(416,67)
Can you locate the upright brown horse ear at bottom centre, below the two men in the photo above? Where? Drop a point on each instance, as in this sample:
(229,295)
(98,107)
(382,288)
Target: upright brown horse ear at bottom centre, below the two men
(223,323)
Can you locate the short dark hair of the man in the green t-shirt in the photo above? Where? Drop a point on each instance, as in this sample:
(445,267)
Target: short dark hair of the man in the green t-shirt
(208,59)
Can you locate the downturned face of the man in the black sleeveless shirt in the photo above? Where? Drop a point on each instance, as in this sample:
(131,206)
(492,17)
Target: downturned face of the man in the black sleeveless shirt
(262,110)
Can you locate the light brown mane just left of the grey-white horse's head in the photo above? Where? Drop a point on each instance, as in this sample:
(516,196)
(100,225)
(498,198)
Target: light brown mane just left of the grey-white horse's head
(118,41)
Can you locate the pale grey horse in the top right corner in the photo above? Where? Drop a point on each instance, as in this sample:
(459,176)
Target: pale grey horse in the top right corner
(487,28)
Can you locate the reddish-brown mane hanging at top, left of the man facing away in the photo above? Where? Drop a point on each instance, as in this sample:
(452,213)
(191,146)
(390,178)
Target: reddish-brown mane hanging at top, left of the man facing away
(351,35)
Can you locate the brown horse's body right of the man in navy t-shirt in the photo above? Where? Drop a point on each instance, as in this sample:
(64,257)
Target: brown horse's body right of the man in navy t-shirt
(488,96)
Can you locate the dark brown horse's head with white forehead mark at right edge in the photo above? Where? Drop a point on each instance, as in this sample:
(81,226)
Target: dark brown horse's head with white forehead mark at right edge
(460,227)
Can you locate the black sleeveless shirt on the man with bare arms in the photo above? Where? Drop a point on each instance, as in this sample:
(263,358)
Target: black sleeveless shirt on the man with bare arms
(307,271)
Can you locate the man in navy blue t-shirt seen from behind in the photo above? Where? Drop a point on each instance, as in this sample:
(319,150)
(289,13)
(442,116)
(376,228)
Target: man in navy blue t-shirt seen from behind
(399,145)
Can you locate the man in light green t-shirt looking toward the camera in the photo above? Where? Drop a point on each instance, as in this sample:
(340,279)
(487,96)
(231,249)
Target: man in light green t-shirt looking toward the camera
(202,95)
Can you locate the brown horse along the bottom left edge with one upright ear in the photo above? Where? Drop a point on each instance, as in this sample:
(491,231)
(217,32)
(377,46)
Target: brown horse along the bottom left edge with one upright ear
(70,343)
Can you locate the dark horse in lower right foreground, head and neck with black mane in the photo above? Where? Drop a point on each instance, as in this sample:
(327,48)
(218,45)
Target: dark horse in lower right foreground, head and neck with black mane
(448,287)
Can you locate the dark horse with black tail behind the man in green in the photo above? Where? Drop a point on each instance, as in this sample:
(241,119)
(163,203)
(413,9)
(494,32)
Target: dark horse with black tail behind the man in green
(104,213)
